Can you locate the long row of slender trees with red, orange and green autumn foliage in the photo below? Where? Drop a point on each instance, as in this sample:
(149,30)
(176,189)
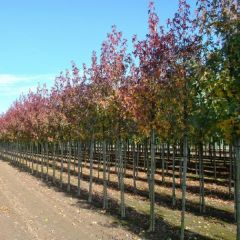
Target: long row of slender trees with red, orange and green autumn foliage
(179,84)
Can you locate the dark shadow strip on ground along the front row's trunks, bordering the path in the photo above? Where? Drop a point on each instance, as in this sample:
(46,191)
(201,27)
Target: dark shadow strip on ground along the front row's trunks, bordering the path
(134,221)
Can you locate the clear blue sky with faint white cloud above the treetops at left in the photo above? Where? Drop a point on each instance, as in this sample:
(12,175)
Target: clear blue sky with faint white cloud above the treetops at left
(39,38)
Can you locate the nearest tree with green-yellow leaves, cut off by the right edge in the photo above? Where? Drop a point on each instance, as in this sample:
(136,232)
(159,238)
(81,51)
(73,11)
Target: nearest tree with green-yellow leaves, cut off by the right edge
(219,22)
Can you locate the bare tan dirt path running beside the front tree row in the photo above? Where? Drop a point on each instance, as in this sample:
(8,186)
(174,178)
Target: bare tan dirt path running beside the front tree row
(31,210)
